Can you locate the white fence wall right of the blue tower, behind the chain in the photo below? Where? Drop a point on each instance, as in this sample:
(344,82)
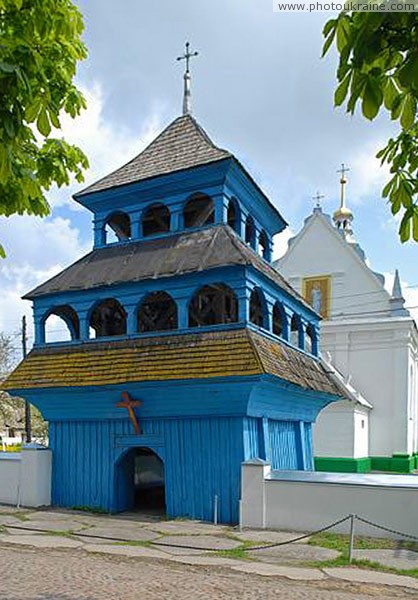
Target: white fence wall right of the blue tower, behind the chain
(303,501)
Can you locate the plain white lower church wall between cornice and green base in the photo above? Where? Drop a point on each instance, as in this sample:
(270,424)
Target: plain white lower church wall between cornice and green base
(376,356)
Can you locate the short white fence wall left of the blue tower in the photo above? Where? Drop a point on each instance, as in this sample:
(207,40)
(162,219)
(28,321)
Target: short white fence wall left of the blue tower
(25,477)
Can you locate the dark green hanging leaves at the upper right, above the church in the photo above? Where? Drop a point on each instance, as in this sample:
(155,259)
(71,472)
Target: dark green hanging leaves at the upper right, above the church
(378,66)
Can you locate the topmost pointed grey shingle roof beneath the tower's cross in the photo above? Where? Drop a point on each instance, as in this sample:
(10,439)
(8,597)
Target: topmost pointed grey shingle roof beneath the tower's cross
(182,145)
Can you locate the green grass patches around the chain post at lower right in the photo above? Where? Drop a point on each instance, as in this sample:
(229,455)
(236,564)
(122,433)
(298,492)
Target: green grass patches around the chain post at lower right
(340,543)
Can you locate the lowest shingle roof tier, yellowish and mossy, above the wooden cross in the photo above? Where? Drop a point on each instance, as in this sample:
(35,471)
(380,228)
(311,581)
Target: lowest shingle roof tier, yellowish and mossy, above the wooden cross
(192,356)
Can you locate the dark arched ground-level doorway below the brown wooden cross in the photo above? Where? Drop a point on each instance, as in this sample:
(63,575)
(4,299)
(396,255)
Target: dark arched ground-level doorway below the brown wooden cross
(140,481)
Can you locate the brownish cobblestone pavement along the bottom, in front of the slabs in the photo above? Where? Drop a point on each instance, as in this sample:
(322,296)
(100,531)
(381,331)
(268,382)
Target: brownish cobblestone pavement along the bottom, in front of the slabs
(72,574)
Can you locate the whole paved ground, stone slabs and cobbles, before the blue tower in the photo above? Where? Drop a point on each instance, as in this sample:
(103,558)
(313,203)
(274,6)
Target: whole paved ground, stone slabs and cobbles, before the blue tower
(70,555)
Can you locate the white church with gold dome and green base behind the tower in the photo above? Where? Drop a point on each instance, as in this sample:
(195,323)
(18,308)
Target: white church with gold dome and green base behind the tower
(370,337)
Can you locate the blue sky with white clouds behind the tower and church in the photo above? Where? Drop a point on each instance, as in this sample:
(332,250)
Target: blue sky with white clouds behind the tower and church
(260,89)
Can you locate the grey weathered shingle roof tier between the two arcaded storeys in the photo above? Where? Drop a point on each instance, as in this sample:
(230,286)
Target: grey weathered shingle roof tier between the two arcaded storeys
(158,258)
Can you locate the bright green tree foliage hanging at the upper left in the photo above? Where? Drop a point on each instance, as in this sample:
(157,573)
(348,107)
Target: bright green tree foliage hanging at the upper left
(40,45)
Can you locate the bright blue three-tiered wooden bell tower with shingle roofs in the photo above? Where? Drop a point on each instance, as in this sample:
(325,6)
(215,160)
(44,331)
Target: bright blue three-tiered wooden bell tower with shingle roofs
(184,341)
